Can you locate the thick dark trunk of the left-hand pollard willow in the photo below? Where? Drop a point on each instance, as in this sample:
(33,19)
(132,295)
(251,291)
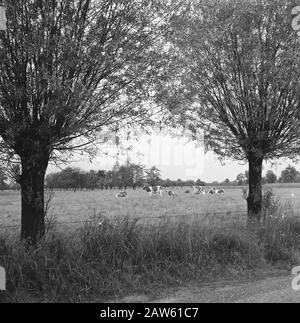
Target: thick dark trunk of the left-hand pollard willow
(32,197)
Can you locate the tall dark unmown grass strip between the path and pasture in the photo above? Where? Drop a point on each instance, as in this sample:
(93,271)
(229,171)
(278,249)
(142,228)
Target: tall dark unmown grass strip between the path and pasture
(108,258)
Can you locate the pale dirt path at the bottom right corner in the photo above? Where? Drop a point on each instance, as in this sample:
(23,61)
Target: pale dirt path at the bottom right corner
(276,289)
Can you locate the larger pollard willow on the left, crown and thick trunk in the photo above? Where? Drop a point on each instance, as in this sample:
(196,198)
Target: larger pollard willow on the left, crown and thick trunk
(69,70)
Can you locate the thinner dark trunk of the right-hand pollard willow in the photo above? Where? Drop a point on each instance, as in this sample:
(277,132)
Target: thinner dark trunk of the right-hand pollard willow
(254,199)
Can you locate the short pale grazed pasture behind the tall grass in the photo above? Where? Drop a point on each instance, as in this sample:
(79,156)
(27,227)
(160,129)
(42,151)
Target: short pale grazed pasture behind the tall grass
(82,205)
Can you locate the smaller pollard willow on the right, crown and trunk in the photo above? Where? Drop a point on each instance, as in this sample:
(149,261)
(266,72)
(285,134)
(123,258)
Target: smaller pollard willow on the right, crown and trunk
(238,78)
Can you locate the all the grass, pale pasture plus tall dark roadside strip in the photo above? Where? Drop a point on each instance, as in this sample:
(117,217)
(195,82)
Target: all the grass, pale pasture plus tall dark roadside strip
(99,262)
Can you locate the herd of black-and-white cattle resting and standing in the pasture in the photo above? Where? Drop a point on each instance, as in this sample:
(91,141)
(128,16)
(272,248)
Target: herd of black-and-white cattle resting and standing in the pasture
(159,190)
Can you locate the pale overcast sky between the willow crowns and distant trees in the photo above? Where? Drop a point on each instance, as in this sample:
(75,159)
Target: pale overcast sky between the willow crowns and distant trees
(176,158)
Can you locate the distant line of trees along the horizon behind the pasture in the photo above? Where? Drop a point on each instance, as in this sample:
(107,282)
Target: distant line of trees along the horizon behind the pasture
(133,175)
